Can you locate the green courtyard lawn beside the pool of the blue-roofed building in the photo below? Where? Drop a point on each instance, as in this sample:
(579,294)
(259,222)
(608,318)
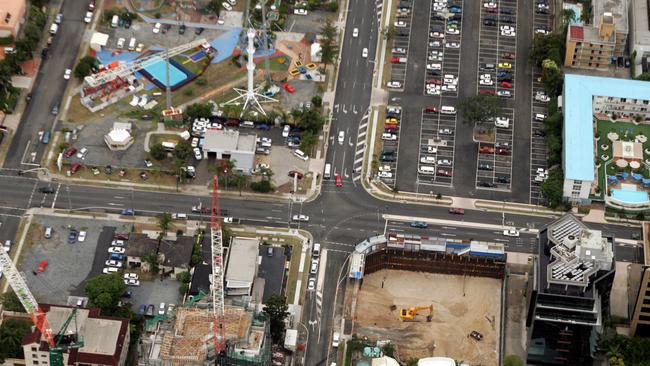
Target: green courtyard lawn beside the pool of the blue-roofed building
(604,127)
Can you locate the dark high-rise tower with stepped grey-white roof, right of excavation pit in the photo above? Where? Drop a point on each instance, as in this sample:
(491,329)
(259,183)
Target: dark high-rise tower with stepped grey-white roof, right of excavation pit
(569,298)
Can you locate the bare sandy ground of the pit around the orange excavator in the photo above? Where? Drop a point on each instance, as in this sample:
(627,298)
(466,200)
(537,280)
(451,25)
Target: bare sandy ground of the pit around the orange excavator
(455,314)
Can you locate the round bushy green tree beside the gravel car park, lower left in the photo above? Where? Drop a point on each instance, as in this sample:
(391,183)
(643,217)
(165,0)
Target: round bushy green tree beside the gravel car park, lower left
(105,291)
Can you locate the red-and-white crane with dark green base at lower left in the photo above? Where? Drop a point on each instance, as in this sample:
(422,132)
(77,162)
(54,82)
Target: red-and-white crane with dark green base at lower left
(57,343)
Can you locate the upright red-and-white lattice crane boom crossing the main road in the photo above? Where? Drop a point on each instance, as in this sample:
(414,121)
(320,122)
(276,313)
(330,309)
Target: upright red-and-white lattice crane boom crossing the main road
(217,271)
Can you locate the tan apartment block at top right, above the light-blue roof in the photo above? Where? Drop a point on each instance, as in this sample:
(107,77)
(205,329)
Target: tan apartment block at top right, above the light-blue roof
(597,45)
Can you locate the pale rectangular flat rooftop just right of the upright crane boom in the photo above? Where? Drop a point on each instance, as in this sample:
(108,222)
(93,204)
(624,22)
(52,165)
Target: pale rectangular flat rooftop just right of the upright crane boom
(242,262)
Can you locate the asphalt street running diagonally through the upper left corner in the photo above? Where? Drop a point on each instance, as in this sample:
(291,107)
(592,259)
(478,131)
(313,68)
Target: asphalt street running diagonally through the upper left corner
(49,86)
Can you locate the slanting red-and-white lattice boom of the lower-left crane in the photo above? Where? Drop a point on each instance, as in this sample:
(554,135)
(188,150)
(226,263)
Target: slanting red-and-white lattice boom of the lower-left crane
(18,284)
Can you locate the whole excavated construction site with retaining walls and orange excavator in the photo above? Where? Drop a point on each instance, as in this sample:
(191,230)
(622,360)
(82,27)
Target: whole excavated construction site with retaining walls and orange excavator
(428,300)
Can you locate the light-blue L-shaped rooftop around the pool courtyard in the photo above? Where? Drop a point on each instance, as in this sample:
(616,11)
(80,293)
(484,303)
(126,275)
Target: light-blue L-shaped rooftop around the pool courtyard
(578,152)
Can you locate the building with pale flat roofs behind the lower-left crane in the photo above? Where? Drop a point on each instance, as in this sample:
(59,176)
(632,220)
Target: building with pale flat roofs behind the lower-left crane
(103,336)
